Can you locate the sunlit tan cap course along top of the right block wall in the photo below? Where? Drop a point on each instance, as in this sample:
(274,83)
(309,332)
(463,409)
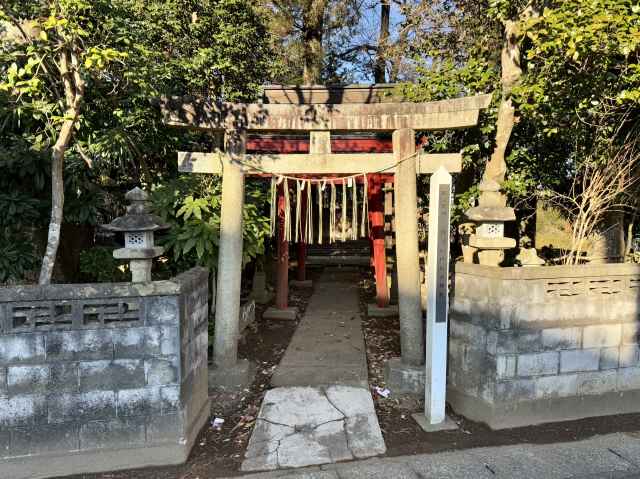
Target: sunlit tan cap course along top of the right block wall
(548,272)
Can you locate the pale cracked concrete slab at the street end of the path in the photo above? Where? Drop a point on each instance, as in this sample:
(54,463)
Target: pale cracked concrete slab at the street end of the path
(303,426)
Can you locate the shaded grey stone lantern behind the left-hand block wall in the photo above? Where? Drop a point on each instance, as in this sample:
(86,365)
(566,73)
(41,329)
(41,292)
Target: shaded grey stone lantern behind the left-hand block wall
(138,226)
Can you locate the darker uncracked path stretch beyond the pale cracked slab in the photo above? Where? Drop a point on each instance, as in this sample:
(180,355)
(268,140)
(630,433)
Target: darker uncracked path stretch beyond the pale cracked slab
(328,345)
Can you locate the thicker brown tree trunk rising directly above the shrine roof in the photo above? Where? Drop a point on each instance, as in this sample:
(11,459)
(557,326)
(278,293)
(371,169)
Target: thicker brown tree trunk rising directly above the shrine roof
(313,54)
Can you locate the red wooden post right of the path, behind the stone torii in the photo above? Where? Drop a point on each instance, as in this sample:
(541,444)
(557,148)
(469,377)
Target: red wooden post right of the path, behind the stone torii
(376,215)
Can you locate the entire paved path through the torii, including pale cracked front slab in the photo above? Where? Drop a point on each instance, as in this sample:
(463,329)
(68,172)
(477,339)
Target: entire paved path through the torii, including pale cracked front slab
(321,410)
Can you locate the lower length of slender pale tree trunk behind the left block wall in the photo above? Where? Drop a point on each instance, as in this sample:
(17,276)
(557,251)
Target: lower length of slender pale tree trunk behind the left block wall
(57,197)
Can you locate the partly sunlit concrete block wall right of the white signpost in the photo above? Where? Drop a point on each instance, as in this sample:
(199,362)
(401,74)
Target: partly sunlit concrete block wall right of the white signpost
(535,345)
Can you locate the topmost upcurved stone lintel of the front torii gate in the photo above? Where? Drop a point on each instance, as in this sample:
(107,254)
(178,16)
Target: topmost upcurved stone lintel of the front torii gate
(278,112)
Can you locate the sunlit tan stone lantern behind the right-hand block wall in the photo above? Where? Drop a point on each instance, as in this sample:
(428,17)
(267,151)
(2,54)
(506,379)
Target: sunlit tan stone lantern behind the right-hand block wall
(490,215)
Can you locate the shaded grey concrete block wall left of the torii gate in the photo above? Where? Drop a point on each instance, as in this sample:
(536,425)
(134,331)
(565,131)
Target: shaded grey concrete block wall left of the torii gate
(101,377)
